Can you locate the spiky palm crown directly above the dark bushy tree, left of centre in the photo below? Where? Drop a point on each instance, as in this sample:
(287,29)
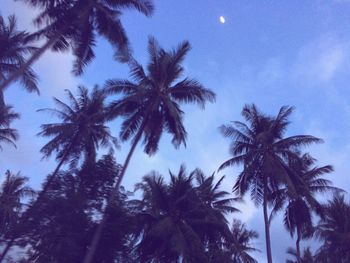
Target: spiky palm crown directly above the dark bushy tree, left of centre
(82,129)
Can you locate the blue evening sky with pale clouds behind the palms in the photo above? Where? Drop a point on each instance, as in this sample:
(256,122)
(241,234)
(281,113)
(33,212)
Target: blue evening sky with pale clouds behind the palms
(271,53)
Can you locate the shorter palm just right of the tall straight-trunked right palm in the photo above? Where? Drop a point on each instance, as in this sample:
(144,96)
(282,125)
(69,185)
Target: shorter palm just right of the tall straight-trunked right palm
(298,210)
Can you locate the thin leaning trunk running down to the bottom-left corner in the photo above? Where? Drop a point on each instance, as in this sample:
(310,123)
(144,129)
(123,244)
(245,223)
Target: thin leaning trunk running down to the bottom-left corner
(42,193)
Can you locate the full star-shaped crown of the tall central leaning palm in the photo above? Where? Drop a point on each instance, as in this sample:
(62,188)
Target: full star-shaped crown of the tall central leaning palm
(151,101)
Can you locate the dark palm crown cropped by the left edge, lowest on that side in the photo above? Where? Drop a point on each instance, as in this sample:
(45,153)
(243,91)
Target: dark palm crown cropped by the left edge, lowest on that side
(12,192)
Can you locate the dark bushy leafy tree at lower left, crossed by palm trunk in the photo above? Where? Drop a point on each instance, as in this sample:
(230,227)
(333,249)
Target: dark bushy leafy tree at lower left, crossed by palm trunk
(66,217)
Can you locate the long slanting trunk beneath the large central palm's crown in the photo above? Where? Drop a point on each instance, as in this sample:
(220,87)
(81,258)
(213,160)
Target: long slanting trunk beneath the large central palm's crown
(98,232)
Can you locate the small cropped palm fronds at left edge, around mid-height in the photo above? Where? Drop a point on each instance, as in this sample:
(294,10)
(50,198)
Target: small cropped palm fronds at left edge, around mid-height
(7,134)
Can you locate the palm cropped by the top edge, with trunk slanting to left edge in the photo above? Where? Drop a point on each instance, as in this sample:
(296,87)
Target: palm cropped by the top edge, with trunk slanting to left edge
(75,24)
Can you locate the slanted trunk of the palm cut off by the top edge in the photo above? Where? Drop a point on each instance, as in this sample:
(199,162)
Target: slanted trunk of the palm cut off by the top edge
(36,55)
